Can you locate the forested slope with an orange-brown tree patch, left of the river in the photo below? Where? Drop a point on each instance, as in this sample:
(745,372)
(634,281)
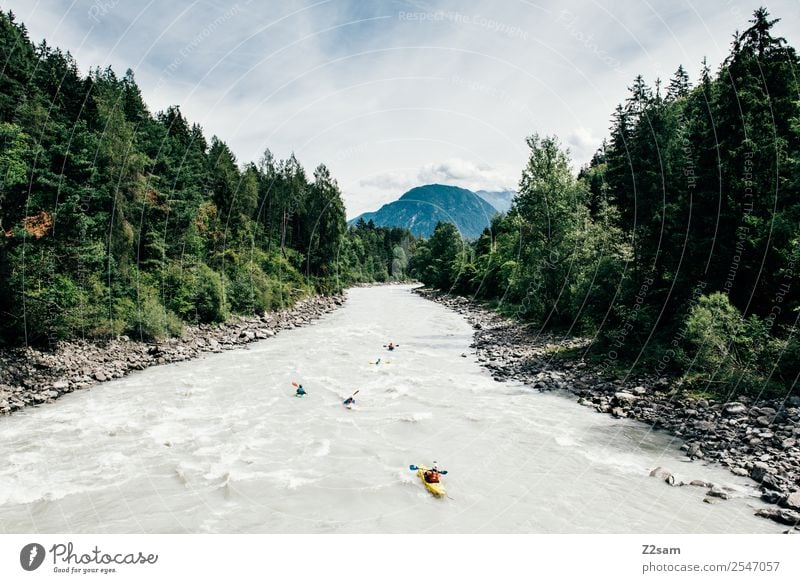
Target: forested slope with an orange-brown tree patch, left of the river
(116,220)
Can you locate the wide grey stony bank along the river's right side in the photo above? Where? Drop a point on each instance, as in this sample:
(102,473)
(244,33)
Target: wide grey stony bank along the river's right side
(756,439)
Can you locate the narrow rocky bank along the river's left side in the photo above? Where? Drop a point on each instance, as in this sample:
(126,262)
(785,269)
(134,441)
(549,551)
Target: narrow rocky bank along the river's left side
(30,377)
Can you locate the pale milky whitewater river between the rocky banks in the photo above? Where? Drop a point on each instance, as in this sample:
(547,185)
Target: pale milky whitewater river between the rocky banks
(220,444)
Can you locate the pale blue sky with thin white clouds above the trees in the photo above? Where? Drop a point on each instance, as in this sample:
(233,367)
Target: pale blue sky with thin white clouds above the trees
(392,94)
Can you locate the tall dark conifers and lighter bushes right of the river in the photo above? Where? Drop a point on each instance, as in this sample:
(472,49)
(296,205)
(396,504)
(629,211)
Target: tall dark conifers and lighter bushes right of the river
(677,248)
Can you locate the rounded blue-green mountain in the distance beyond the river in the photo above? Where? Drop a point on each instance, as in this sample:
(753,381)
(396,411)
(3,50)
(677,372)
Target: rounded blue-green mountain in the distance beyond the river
(419,209)
